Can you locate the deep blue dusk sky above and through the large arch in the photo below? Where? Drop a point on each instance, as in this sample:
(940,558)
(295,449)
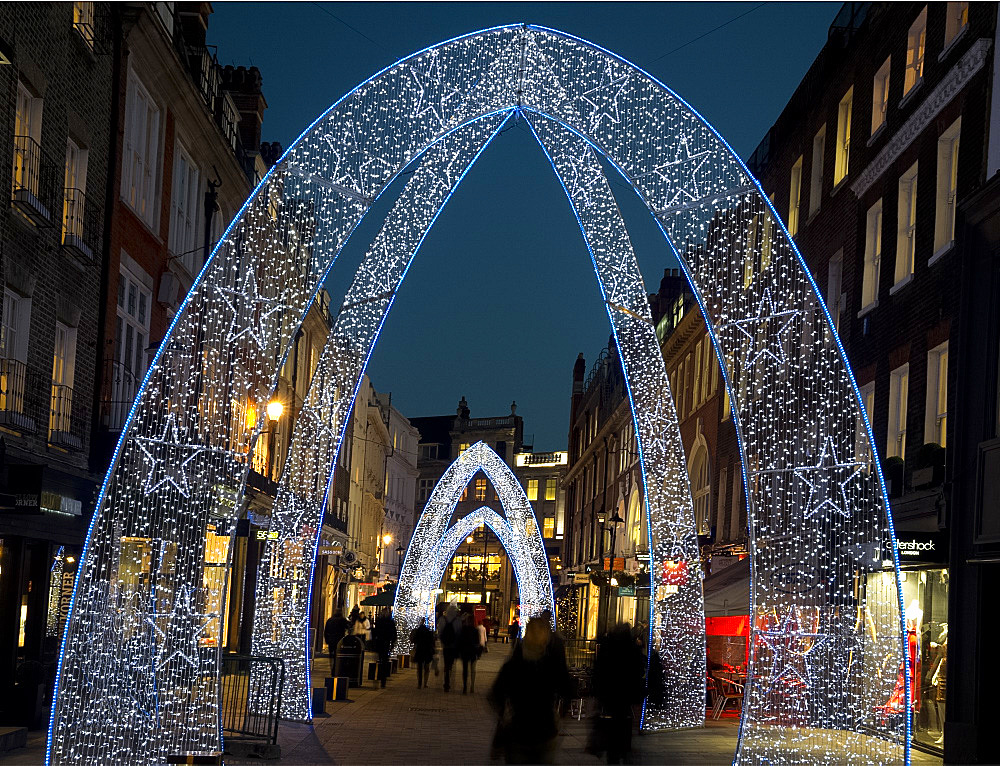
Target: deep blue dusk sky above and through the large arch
(502,295)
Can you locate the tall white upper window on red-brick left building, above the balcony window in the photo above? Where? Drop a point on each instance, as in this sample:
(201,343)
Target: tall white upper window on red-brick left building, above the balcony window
(141,151)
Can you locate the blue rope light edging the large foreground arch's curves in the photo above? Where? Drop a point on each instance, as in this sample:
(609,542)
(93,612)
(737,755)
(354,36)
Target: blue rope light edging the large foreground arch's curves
(238,217)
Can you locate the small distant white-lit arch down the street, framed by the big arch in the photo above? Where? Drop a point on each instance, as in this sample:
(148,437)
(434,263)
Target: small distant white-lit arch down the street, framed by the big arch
(434,542)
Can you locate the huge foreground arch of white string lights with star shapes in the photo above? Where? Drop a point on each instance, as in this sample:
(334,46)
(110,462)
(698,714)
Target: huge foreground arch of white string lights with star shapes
(139,663)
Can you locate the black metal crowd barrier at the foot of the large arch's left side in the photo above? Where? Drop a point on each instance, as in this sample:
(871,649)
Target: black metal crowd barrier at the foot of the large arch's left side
(250,699)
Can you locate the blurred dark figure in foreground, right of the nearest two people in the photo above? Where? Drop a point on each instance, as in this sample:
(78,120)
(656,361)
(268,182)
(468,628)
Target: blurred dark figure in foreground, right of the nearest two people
(618,685)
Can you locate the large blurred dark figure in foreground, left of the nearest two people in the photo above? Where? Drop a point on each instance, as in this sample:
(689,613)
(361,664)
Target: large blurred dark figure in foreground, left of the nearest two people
(525,696)
